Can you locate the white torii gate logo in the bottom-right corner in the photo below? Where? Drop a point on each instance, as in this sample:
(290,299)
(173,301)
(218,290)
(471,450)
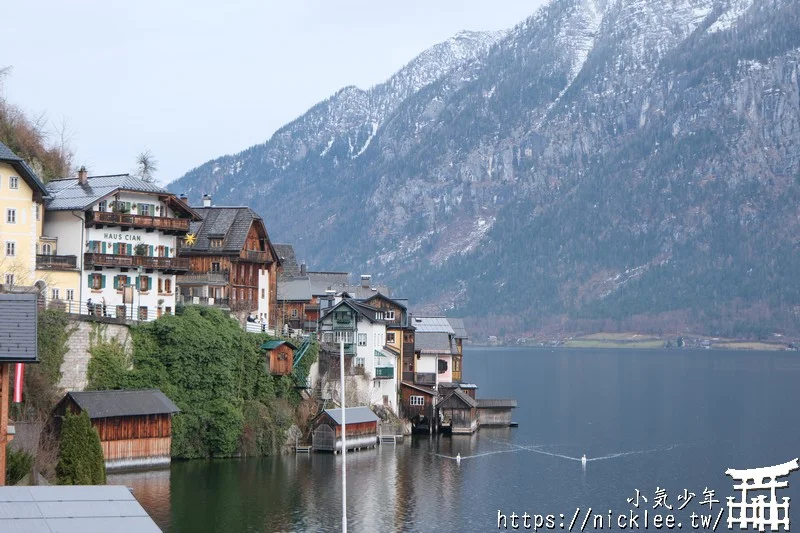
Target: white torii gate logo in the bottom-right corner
(760,513)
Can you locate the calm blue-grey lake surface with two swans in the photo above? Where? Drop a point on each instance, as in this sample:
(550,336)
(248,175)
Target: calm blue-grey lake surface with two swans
(671,420)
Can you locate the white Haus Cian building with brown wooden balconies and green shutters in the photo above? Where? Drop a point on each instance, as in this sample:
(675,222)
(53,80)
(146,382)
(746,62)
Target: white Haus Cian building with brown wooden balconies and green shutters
(123,235)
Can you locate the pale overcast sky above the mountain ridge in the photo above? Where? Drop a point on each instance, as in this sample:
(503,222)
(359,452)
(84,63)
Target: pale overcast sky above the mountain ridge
(197,80)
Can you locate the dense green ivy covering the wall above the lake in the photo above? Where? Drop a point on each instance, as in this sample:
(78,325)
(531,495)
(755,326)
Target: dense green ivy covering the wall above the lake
(214,372)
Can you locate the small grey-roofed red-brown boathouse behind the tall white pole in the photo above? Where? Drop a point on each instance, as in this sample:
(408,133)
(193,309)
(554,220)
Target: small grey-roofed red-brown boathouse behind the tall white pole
(361,430)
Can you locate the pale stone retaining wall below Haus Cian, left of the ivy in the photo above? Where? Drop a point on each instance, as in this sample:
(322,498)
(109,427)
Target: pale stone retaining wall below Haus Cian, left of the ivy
(76,360)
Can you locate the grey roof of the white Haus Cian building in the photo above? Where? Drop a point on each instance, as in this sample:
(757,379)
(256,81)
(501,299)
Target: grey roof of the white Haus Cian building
(68,194)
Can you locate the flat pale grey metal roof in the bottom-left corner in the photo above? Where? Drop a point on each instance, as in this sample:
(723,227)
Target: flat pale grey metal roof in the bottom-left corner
(78,509)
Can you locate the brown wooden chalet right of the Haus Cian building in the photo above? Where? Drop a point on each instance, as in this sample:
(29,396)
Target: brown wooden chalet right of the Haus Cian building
(232,262)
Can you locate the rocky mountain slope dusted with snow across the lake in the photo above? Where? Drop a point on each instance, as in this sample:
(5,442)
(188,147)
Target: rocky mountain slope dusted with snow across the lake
(605,164)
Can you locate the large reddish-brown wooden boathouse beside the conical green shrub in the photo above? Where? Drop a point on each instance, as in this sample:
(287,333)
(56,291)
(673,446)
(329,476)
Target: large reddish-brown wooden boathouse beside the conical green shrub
(135,426)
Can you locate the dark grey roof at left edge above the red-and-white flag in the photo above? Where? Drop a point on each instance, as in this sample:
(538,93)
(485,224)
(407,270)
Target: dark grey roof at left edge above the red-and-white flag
(18,328)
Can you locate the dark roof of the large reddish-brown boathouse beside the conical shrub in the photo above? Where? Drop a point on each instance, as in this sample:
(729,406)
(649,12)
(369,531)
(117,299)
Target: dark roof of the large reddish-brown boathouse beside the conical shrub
(111,403)
